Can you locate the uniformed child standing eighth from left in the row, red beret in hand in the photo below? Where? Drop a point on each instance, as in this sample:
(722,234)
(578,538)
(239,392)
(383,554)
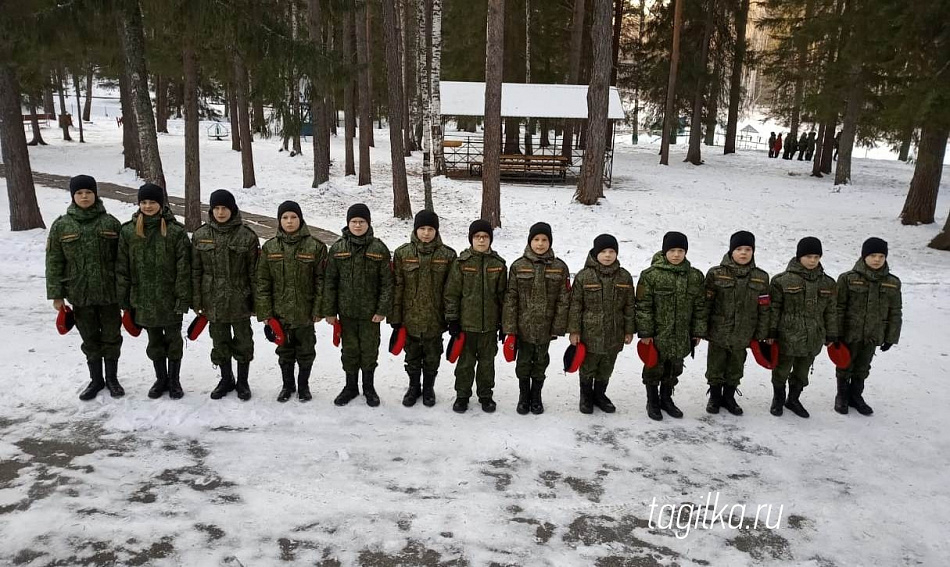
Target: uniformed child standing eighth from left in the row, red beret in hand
(536,307)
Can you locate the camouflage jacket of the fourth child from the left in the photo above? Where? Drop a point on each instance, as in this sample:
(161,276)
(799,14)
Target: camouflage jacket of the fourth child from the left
(290,275)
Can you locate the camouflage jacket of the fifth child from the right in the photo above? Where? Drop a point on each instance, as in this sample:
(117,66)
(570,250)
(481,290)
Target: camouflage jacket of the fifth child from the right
(602,306)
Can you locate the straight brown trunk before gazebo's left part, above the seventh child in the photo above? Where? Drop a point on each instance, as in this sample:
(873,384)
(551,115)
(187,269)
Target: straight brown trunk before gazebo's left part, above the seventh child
(494,68)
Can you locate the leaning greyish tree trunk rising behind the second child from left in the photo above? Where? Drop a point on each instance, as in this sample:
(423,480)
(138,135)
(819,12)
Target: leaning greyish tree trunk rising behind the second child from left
(133,45)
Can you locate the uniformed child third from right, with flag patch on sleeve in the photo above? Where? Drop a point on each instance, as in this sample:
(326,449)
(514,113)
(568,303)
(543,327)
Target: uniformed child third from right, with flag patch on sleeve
(737,300)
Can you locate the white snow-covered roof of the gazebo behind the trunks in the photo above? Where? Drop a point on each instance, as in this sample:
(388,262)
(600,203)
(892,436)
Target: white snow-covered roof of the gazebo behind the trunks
(521,100)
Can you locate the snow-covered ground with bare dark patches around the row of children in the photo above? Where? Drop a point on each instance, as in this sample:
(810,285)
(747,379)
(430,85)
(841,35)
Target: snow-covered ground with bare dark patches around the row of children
(199,482)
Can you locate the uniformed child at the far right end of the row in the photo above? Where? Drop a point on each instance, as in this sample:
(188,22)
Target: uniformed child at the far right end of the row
(869,315)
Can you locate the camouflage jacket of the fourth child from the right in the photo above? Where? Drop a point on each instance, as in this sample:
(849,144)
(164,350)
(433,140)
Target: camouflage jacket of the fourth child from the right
(671,306)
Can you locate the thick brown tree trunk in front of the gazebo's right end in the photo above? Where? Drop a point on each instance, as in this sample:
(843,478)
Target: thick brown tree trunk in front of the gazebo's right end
(590,185)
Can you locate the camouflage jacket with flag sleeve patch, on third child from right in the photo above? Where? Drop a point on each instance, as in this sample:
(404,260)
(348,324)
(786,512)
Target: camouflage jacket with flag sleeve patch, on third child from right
(737,299)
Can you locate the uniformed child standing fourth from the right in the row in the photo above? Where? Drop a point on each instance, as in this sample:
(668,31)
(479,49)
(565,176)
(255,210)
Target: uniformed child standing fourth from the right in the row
(671,313)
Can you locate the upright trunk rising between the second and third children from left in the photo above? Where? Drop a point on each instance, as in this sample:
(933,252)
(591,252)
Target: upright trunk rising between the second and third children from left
(192,153)
